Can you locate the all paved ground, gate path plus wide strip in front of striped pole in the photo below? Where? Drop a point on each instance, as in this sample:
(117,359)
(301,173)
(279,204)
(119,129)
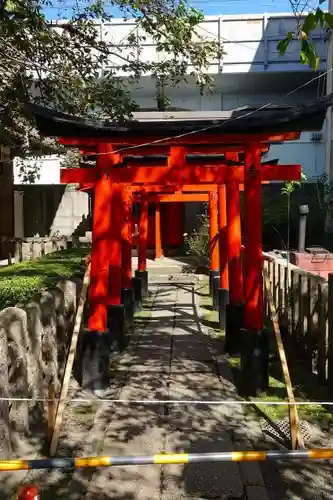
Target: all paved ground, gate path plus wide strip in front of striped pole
(173,357)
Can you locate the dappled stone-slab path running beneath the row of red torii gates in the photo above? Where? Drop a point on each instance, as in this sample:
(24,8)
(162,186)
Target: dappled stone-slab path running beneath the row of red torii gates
(173,358)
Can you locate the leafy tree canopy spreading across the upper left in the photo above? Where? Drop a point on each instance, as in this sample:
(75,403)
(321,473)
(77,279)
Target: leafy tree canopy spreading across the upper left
(60,65)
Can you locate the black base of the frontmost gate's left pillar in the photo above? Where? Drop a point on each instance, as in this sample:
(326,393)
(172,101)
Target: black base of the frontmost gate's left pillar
(92,364)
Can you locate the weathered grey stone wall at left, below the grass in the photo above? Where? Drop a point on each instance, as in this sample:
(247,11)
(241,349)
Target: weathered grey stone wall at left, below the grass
(34,338)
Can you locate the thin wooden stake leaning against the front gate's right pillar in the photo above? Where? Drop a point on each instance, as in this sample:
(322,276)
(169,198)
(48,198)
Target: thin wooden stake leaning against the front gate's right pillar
(296,438)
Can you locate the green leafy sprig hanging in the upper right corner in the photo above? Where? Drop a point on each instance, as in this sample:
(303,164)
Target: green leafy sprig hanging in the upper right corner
(308,54)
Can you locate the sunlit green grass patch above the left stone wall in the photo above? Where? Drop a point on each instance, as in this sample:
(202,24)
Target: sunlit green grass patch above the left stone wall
(21,281)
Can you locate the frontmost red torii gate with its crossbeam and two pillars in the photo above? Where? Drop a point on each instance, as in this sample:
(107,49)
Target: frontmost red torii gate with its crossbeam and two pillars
(110,184)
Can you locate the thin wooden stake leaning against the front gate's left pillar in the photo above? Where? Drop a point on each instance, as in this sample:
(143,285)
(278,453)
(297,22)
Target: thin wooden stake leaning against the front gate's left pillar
(69,363)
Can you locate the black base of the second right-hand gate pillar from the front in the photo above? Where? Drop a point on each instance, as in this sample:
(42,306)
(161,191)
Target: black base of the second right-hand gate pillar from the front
(234,322)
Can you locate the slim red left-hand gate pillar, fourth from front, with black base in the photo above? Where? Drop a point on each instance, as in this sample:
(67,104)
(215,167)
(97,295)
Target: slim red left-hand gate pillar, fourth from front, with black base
(142,272)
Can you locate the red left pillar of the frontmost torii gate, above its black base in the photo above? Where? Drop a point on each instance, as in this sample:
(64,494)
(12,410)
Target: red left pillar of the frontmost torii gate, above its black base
(100,252)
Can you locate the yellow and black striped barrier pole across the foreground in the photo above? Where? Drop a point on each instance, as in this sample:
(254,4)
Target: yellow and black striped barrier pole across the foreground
(162,459)
